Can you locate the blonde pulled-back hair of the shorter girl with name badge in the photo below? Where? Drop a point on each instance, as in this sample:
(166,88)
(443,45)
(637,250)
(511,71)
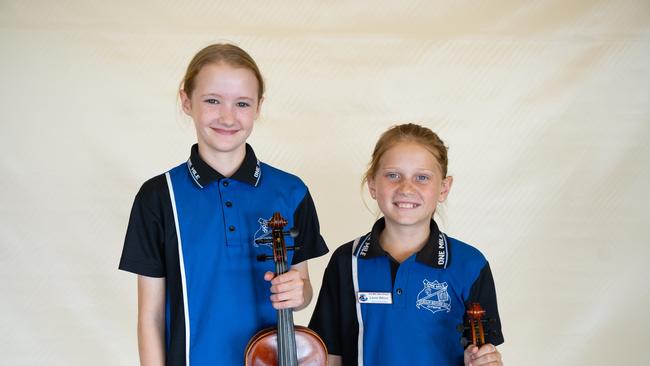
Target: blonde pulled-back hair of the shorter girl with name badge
(409,132)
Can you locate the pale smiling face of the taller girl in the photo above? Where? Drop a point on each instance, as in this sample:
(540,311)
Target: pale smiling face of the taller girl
(223,106)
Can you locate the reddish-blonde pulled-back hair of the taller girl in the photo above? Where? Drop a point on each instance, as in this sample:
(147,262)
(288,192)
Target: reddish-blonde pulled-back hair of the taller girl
(221,53)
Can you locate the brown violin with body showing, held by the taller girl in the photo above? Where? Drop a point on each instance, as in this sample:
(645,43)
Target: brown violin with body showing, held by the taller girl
(287,344)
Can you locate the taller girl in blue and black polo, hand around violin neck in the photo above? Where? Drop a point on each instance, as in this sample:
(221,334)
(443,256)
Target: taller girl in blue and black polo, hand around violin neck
(201,292)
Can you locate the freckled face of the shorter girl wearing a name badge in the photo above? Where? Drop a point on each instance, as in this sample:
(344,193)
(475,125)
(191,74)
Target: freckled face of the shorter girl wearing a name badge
(408,185)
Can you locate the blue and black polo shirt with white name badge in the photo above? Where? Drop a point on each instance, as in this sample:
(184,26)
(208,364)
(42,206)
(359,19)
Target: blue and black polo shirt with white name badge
(405,313)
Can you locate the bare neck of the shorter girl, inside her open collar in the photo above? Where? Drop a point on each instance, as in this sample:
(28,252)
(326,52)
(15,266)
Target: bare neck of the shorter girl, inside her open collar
(401,241)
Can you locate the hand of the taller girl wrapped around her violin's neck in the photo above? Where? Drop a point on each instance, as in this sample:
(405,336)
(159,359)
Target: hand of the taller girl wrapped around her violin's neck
(287,289)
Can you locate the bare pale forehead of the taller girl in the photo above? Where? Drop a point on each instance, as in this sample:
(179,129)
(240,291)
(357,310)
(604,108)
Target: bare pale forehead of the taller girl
(222,78)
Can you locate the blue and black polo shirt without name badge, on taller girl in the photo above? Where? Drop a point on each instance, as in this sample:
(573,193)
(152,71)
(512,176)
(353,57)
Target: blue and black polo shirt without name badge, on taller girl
(197,229)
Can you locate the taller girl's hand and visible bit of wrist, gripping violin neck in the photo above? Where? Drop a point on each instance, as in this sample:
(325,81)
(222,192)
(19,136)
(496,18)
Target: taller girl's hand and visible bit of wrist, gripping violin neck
(291,289)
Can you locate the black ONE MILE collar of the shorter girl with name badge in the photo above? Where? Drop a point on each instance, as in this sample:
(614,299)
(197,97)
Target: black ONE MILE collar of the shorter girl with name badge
(435,252)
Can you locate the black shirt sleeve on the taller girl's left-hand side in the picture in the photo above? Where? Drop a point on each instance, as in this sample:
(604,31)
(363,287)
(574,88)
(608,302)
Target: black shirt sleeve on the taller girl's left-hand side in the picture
(144,251)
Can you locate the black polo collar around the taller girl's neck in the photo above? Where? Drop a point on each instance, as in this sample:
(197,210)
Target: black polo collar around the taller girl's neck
(203,174)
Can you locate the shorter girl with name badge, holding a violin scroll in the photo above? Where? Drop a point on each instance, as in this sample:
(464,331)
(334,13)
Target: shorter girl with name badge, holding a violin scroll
(396,295)
